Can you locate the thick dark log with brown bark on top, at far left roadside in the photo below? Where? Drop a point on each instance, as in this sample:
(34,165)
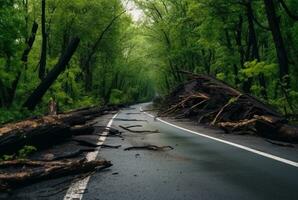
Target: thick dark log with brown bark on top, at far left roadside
(39,133)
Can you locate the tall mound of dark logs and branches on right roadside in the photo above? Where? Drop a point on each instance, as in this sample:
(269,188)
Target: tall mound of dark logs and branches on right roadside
(210,101)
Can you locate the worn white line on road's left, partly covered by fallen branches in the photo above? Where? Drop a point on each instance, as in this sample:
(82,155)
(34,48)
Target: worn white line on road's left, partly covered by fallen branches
(77,189)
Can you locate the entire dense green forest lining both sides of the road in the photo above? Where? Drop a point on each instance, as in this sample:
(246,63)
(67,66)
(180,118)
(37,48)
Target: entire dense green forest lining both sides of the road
(250,44)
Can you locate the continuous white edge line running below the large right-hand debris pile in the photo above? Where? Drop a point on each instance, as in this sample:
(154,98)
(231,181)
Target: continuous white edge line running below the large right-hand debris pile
(261,153)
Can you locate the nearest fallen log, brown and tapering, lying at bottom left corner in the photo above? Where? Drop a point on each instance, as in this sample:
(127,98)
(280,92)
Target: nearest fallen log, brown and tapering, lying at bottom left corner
(26,171)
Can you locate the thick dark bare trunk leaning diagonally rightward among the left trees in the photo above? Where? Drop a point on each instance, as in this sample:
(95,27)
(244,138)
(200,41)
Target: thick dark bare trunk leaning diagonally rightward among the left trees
(37,95)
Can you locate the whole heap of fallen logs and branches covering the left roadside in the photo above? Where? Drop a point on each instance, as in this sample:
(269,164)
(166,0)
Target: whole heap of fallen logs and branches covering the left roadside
(61,140)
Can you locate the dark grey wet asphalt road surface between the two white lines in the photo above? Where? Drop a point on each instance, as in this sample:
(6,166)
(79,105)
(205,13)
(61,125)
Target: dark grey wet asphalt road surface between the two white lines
(197,167)
